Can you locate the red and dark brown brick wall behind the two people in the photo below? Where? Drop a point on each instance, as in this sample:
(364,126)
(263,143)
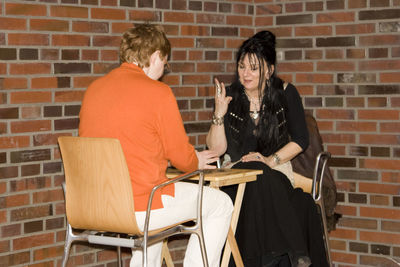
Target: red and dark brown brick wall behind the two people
(343,56)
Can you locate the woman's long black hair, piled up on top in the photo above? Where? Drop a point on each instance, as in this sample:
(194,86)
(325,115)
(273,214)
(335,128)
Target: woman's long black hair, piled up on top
(271,130)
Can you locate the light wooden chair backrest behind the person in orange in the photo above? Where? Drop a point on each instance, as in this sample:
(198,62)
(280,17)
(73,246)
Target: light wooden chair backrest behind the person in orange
(98,187)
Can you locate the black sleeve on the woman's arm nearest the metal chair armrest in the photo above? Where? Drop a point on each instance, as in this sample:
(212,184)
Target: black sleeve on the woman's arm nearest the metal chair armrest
(296,118)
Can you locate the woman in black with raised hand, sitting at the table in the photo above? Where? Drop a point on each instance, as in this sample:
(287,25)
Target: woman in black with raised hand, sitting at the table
(259,123)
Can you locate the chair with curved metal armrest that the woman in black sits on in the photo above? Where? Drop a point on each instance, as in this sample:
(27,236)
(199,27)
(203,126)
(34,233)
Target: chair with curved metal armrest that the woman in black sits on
(314,187)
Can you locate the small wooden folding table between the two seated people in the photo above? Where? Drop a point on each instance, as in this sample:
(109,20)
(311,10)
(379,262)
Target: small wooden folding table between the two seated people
(217,179)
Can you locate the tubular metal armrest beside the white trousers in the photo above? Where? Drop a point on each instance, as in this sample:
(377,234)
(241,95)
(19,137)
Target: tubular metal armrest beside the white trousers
(171,181)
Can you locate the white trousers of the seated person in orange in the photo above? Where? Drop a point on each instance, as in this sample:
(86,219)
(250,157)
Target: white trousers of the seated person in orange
(217,212)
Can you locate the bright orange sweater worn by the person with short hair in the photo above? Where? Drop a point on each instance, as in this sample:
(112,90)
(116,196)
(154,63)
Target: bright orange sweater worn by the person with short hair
(143,114)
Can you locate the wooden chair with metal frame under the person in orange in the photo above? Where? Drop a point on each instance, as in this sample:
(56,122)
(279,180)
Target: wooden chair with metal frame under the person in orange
(99,199)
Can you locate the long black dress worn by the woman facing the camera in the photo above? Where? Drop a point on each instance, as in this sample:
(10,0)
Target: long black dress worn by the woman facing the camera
(277,223)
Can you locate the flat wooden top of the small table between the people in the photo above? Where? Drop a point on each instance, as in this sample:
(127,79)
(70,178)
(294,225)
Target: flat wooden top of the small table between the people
(223,177)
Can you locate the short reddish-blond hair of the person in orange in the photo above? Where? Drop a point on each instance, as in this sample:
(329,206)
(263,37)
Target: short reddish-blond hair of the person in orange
(140,42)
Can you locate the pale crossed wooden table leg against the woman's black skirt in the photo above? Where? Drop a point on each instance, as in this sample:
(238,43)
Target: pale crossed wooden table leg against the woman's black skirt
(231,245)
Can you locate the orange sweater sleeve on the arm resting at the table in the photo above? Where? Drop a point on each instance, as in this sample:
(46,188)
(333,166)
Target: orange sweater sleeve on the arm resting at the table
(176,146)
